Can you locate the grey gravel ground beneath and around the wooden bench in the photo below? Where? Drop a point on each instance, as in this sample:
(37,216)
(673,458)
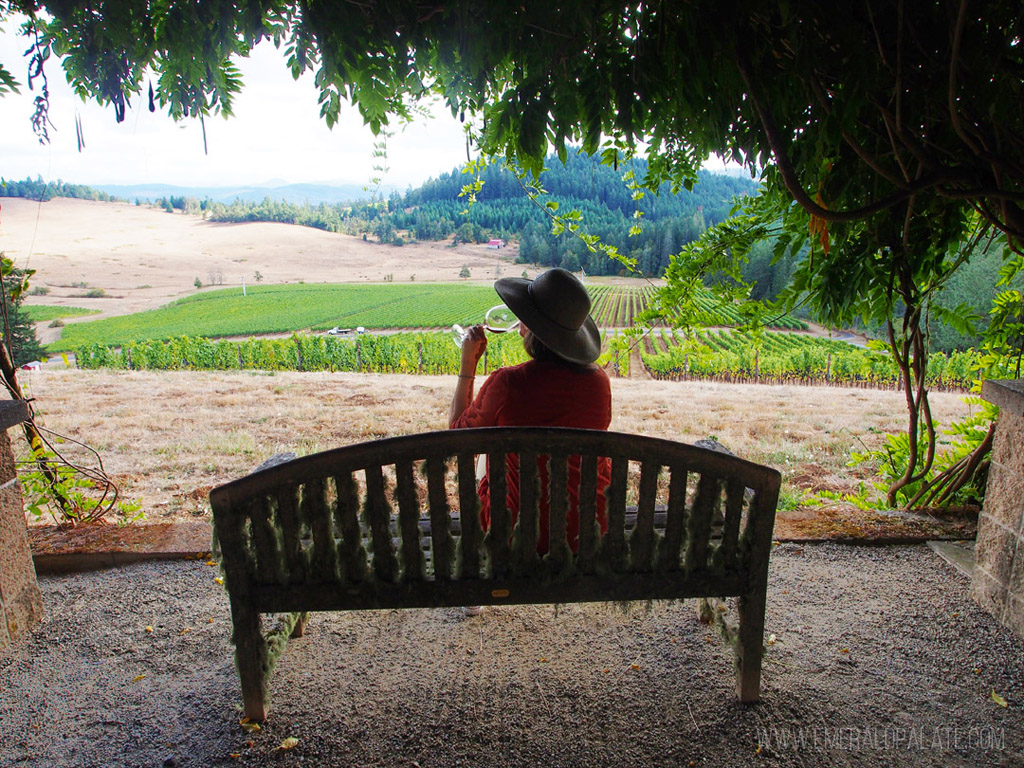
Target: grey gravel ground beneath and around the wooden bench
(880,658)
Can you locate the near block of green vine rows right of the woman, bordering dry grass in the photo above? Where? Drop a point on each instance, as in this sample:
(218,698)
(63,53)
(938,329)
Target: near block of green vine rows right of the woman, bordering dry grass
(791,359)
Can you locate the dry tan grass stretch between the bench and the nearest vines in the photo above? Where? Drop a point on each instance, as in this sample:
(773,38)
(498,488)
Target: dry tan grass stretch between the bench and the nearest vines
(168,438)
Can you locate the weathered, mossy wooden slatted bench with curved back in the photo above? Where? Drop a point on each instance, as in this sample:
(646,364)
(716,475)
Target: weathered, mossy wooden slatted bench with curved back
(322,533)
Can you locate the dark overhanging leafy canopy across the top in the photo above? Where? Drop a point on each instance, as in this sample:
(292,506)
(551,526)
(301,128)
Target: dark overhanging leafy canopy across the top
(860,107)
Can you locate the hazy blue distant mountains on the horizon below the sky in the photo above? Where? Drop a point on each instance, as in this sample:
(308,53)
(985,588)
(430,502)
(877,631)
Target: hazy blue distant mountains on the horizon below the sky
(298,194)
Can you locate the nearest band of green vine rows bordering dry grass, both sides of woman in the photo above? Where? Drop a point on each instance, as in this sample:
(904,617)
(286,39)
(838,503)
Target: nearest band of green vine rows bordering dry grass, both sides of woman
(778,358)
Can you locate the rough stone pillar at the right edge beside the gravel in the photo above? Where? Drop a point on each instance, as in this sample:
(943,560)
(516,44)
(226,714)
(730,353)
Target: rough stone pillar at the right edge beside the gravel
(999,571)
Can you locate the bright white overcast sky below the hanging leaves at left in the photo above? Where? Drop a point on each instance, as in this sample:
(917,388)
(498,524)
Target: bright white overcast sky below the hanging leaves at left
(276,136)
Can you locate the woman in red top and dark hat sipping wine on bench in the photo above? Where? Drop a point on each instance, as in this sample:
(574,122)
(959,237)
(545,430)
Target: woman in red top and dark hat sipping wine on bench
(560,388)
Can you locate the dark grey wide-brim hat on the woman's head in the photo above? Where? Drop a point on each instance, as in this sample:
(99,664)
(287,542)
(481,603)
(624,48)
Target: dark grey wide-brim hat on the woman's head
(556,308)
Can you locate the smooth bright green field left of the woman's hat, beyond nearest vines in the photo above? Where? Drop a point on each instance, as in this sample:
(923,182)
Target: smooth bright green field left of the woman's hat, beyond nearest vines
(283,309)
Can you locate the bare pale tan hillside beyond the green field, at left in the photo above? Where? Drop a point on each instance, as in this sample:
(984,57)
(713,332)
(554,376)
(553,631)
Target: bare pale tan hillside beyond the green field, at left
(144,258)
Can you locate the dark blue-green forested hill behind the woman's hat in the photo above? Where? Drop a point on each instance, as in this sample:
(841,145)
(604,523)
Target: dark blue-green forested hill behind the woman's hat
(503,209)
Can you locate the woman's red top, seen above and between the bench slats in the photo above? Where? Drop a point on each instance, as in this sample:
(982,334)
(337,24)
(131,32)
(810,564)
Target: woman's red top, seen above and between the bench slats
(544,395)
